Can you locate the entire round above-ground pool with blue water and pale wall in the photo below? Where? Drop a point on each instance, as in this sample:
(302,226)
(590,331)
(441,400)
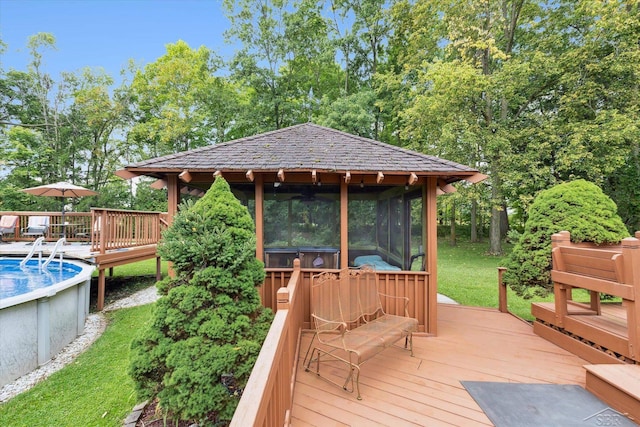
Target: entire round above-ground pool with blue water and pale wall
(41,311)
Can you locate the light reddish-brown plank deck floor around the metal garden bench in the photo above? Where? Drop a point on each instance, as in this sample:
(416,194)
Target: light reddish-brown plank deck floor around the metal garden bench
(473,344)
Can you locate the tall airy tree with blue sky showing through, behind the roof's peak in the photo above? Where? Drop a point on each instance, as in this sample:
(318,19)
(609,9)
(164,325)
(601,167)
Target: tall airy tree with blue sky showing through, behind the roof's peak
(287,59)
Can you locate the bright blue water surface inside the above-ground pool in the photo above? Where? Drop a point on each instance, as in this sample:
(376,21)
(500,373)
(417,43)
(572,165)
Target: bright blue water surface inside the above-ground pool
(16,280)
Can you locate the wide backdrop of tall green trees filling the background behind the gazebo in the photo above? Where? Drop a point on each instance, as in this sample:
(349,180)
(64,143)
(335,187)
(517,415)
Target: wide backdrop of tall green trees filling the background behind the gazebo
(531,93)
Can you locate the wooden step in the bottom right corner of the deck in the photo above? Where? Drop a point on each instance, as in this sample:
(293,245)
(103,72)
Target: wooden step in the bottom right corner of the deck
(618,385)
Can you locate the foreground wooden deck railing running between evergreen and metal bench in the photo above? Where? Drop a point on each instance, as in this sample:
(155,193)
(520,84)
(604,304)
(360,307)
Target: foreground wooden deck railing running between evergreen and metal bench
(268,396)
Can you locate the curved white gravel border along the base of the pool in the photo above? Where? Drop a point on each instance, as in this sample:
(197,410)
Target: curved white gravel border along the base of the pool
(94,326)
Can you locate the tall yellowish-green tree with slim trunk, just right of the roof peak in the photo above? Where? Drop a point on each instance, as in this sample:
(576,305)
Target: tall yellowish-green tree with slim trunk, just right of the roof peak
(460,107)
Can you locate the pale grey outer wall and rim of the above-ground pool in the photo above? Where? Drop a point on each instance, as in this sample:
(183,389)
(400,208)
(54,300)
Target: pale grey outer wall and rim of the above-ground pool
(36,326)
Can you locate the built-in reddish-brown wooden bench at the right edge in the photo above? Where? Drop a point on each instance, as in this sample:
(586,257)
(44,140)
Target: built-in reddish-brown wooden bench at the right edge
(609,270)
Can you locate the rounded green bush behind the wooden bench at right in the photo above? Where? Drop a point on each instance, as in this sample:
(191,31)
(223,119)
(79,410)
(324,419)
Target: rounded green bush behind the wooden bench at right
(579,207)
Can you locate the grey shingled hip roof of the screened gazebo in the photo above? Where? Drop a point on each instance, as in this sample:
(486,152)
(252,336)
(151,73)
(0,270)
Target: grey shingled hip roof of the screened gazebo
(302,147)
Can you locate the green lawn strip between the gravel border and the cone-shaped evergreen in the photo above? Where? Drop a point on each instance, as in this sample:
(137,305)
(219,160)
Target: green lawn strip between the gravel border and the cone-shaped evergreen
(95,390)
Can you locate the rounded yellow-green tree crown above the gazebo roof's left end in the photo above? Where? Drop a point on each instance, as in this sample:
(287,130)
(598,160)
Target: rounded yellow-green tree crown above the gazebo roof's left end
(176,99)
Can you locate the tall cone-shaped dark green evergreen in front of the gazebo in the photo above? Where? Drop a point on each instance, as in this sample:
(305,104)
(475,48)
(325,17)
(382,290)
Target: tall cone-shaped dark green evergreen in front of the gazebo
(208,325)
